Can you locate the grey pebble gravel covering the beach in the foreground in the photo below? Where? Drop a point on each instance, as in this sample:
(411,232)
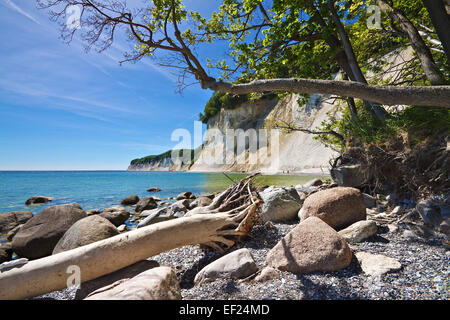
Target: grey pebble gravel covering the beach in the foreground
(424,273)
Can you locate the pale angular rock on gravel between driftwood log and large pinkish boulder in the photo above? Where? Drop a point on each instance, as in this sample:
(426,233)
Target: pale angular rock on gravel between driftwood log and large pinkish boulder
(237,264)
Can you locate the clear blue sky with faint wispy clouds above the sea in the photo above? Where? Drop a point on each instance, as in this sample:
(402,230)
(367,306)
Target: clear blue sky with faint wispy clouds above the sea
(64,109)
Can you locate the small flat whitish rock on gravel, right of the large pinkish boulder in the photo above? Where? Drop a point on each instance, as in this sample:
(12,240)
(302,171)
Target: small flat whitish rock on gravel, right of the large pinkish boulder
(377,264)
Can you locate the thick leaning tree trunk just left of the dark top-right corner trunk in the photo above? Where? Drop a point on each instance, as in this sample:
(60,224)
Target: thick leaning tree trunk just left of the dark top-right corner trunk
(423,53)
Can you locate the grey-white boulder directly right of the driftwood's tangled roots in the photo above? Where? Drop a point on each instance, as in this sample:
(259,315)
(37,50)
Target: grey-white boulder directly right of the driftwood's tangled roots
(280,204)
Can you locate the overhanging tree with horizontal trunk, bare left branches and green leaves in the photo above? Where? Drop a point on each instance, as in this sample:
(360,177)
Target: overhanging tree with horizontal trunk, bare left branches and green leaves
(162,30)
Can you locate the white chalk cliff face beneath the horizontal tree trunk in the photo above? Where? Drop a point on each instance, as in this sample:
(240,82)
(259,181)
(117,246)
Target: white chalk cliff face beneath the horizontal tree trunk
(295,152)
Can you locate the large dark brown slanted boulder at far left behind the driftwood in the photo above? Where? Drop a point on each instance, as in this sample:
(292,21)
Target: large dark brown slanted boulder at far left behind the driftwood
(38,236)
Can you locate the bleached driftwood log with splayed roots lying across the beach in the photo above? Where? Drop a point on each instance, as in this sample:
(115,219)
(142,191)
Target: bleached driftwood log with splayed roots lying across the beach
(232,217)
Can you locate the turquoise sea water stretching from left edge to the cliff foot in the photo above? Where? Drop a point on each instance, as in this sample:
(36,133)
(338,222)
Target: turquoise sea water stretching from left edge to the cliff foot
(103,189)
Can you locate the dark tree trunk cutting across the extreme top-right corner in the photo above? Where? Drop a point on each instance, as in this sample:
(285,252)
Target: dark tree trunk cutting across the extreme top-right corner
(441,22)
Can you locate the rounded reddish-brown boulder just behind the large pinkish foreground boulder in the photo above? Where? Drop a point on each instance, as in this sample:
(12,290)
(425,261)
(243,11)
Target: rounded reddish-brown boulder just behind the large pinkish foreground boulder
(338,207)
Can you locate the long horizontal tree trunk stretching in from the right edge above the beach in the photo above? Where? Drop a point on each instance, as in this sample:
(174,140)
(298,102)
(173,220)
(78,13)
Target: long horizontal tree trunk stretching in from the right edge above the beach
(434,96)
